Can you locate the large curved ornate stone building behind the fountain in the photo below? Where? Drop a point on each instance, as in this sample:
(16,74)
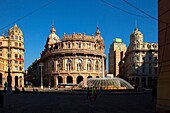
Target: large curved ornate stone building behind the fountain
(72,59)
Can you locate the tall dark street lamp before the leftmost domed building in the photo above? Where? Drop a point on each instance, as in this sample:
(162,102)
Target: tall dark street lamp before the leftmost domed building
(9,78)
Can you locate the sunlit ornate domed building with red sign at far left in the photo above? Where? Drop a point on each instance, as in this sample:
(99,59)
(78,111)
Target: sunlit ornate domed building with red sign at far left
(15,55)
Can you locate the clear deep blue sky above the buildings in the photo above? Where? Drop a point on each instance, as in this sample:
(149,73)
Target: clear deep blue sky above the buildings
(35,18)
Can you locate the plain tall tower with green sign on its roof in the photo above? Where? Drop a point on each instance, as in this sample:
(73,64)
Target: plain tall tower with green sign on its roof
(116,54)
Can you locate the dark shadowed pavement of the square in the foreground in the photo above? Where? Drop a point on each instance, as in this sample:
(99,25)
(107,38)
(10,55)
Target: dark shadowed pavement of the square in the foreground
(58,102)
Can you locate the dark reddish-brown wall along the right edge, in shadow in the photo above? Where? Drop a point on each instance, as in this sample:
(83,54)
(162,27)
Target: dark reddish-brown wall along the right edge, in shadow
(163,96)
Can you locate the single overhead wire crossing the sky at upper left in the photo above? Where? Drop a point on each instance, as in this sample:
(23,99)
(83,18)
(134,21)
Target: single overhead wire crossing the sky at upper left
(28,14)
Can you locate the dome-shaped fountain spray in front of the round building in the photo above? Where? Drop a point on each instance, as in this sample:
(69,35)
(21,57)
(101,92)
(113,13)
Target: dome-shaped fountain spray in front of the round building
(106,83)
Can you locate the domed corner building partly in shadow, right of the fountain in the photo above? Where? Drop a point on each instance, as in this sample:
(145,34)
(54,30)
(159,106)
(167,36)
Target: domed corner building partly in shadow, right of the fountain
(140,63)
